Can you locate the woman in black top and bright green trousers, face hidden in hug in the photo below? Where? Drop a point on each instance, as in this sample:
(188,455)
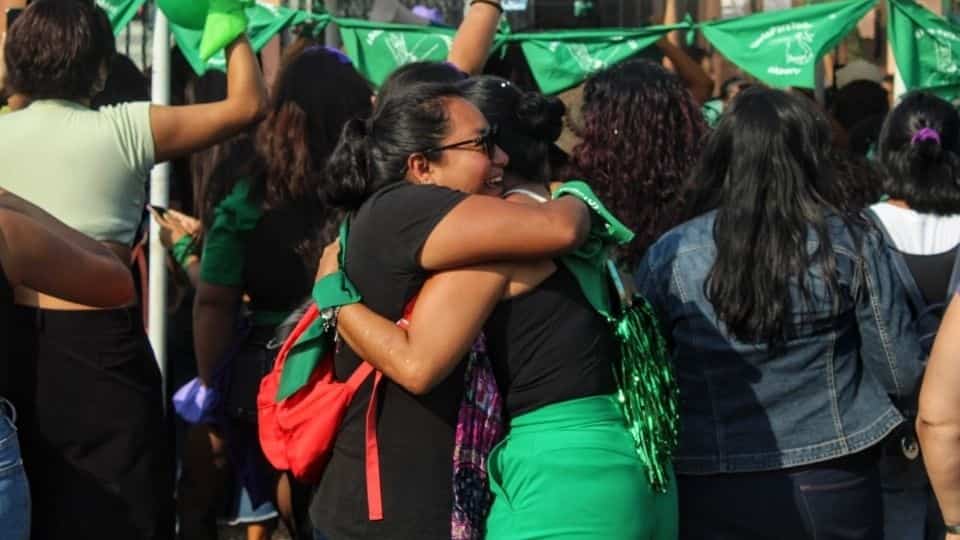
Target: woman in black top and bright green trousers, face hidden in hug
(569,465)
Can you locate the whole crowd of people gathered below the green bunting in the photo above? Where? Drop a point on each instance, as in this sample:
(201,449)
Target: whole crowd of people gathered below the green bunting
(740,328)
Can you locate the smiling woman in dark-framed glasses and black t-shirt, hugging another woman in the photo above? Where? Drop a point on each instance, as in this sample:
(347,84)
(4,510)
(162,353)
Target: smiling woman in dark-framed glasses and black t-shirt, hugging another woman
(407,175)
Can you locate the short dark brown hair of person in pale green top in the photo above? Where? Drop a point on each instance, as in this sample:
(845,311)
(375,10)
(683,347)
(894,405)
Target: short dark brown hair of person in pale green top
(57,49)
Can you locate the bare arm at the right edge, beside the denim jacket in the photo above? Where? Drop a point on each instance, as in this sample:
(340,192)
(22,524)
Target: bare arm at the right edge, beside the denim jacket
(938,422)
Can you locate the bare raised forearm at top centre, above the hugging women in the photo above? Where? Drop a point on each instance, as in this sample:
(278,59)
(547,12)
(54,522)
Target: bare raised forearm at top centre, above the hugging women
(471,44)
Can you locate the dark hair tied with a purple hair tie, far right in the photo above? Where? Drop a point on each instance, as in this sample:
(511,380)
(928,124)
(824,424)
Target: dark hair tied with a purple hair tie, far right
(919,149)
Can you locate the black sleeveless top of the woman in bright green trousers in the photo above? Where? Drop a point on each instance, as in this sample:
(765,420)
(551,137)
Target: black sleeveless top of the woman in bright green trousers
(550,345)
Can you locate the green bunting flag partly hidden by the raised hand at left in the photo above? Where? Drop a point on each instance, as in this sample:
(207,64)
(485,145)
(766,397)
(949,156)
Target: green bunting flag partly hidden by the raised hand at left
(266,21)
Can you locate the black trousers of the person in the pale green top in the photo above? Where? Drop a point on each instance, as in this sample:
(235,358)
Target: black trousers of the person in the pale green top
(95,442)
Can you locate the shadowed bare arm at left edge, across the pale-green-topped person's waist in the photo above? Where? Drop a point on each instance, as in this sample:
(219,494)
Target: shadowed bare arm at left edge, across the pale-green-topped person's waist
(67,266)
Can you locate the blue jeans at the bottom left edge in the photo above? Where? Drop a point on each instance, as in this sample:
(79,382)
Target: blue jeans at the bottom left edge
(14,491)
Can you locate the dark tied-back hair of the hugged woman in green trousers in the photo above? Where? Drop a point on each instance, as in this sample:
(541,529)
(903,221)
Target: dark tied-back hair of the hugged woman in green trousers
(529,123)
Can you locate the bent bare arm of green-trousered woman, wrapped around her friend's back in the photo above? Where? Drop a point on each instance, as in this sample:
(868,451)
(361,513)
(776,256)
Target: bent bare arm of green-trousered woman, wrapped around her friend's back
(449,314)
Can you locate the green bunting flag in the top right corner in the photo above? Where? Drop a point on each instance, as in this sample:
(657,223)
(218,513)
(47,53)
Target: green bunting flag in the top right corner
(926,48)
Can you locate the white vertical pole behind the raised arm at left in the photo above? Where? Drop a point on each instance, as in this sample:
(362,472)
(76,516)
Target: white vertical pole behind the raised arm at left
(159,196)
